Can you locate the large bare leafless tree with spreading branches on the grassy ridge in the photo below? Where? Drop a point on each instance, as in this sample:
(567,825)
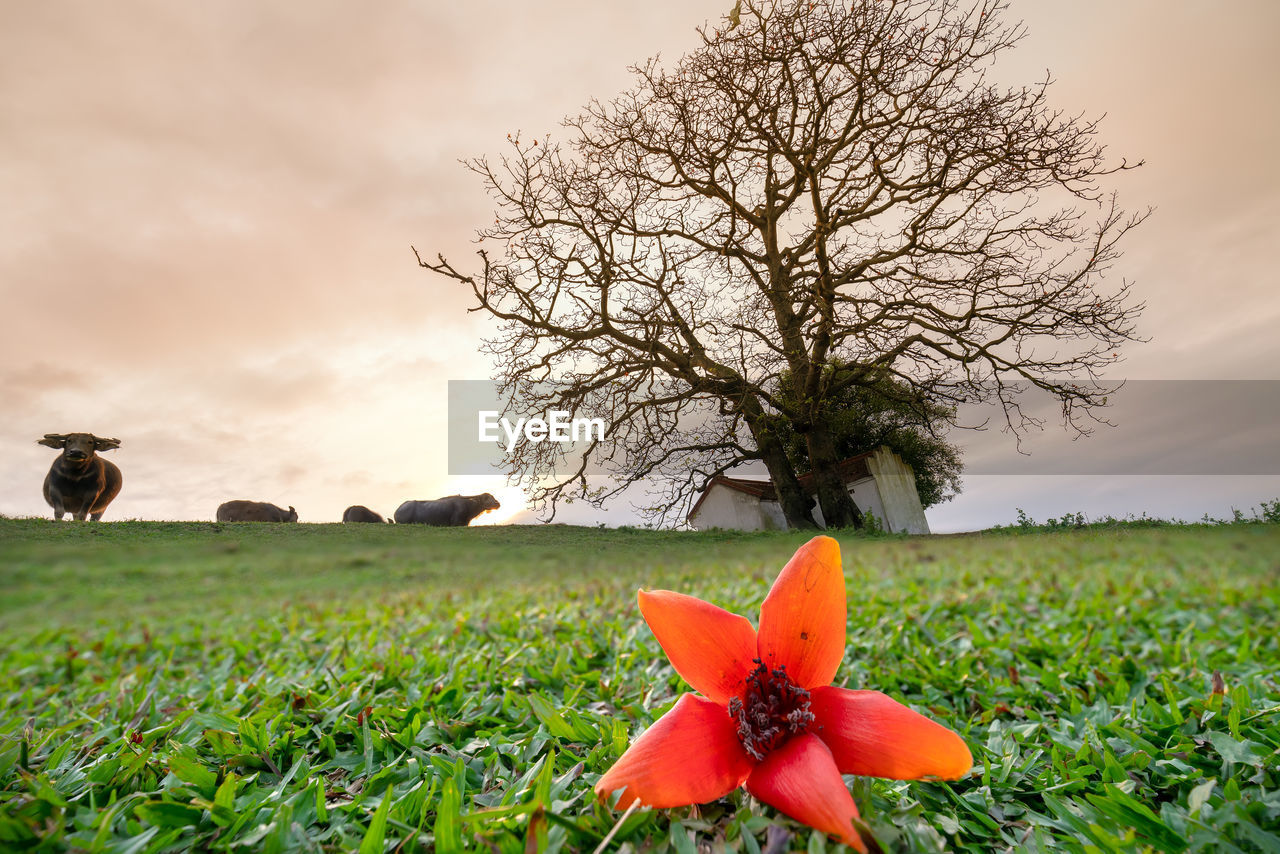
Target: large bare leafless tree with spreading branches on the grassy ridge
(819,185)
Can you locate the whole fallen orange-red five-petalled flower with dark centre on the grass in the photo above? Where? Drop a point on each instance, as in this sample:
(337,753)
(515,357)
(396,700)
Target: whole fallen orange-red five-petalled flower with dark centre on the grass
(766,715)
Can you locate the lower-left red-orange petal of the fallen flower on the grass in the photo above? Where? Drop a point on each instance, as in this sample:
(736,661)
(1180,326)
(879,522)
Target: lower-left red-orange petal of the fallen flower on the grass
(689,756)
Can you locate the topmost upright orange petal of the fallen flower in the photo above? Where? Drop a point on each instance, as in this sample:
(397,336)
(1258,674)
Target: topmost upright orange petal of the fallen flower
(803,619)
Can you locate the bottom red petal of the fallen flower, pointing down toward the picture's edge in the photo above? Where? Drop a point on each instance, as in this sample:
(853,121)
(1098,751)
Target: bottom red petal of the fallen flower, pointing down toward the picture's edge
(802,780)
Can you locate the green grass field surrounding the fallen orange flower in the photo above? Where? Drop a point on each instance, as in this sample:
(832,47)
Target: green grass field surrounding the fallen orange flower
(322,688)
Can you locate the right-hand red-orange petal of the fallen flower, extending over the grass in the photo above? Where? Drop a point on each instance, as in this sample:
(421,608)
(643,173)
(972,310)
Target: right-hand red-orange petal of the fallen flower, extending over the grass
(874,736)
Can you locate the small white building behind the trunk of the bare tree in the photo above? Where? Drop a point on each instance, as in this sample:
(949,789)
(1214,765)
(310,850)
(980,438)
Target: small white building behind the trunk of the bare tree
(879,482)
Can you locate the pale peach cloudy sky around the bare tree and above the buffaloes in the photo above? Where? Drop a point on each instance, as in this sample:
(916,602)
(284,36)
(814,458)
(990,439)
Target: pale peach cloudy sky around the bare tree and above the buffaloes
(208,211)
